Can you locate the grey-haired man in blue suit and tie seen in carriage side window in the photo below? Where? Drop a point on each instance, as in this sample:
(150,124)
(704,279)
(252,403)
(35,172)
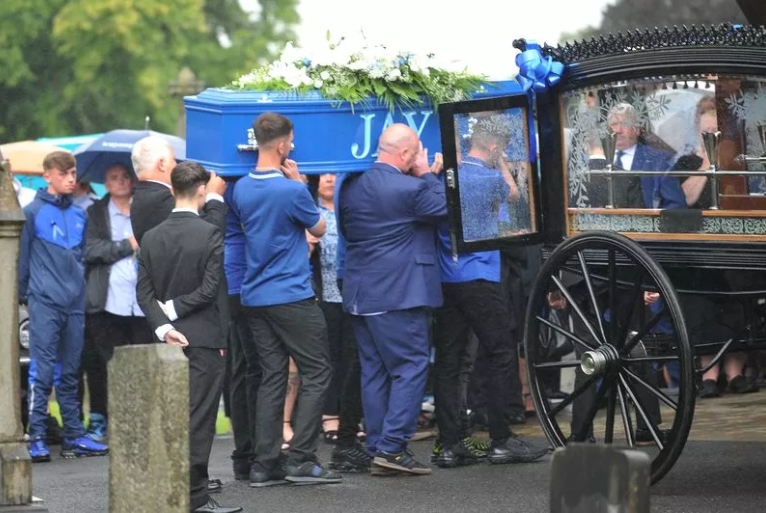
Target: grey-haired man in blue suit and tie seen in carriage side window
(633,154)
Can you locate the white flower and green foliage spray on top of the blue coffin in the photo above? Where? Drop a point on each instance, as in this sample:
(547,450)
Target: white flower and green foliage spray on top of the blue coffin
(356,72)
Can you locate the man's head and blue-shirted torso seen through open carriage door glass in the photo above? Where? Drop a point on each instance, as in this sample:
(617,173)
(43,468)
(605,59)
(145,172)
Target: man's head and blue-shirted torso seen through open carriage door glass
(485,179)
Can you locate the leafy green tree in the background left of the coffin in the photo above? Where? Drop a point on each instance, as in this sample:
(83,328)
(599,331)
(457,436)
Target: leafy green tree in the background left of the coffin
(83,66)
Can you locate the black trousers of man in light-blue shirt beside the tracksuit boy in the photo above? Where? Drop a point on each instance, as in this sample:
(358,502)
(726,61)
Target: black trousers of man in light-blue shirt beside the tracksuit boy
(104,332)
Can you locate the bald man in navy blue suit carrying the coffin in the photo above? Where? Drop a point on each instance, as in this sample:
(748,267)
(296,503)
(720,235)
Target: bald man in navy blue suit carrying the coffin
(388,216)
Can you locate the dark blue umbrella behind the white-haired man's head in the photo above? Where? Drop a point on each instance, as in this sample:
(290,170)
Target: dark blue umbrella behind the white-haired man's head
(114,147)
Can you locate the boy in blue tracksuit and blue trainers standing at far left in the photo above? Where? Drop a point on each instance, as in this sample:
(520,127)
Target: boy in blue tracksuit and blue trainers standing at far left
(52,283)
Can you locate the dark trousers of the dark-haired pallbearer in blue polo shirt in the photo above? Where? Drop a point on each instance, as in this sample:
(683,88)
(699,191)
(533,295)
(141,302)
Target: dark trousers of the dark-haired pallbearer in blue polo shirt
(296,330)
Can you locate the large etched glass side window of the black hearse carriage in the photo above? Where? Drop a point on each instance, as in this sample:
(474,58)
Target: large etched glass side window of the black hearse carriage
(670,158)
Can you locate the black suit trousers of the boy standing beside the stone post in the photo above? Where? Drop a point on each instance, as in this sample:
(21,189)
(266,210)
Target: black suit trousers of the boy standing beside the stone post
(206,369)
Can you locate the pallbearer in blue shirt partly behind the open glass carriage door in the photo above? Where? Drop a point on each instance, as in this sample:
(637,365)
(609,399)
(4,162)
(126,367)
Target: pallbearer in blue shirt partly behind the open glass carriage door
(473,300)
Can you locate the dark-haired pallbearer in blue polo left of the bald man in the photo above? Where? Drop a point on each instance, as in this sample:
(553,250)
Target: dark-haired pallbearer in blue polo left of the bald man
(275,209)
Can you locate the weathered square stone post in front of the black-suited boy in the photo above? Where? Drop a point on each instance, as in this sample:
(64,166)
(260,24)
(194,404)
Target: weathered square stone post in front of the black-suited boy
(148,429)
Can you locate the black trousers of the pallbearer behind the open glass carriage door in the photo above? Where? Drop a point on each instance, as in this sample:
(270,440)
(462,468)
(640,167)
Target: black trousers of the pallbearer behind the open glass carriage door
(479,306)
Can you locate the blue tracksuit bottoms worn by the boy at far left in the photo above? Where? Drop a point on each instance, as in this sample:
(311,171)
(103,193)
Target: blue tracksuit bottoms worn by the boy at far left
(55,336)
